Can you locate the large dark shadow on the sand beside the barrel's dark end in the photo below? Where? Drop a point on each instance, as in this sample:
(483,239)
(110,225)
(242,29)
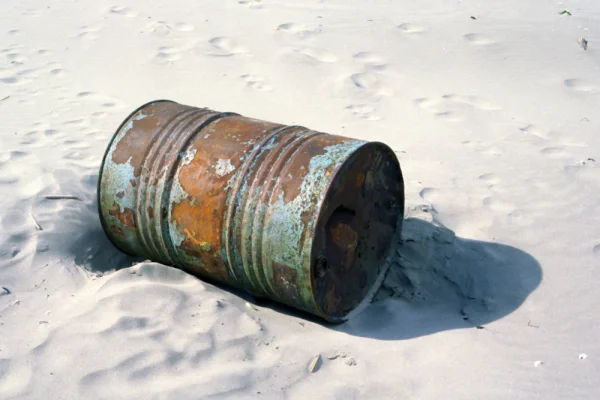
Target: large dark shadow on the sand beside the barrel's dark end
(438,282)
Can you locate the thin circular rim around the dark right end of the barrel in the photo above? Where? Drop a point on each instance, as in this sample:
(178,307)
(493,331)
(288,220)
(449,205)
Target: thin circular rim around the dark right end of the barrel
(379,280)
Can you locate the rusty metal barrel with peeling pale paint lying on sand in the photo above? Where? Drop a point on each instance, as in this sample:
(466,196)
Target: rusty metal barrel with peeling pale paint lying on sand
(284,212)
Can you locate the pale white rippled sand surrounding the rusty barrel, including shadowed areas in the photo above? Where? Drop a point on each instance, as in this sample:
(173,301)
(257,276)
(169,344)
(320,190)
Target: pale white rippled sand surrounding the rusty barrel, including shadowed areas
(497,125)
